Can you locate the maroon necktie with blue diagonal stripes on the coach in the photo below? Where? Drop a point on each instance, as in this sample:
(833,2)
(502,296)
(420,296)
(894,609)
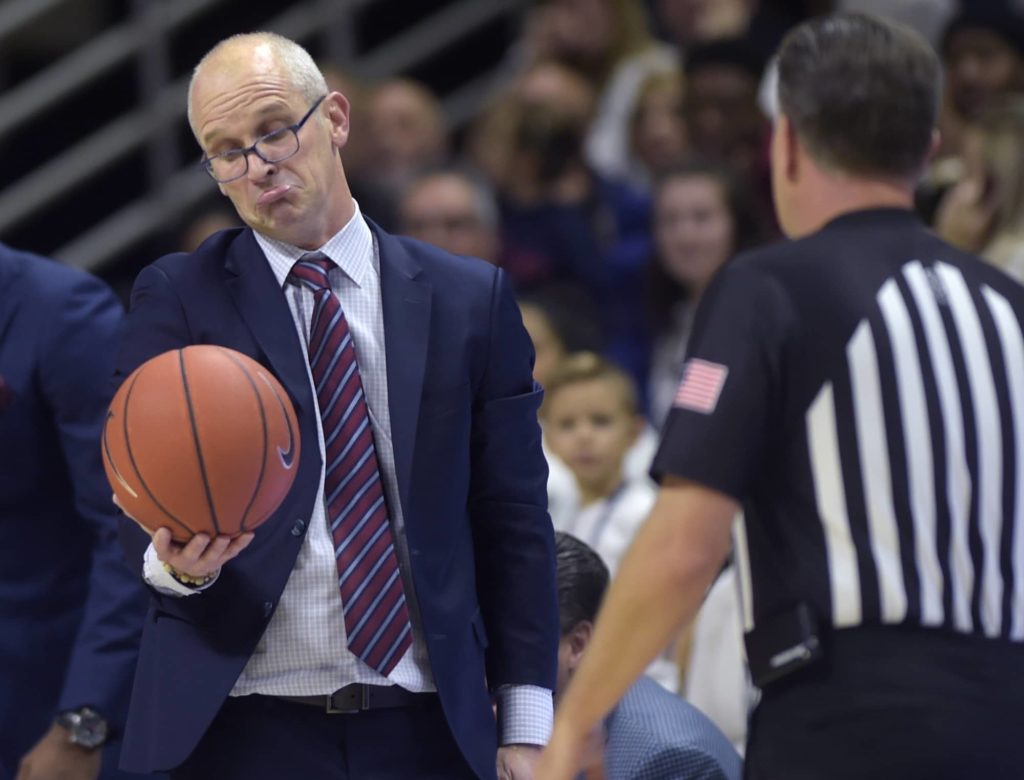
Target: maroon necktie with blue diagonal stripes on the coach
(376,616)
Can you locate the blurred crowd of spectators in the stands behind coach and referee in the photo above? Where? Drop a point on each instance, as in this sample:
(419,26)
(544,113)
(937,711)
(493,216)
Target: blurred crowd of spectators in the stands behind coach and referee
(622,161)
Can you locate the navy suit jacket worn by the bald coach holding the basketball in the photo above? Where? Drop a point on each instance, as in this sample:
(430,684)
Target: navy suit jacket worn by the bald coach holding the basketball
(471,471)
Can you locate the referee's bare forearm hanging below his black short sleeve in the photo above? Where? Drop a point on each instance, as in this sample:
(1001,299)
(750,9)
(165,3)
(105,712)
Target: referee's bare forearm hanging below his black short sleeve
(660,587)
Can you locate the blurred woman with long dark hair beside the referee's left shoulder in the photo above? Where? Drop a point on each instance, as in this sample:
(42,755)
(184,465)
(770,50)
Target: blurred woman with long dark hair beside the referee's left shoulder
(702,218)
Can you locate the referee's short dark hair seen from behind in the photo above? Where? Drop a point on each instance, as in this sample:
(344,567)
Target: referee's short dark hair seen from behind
(862,93)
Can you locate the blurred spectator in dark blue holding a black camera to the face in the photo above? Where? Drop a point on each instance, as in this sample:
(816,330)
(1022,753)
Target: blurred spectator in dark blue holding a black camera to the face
(562,222)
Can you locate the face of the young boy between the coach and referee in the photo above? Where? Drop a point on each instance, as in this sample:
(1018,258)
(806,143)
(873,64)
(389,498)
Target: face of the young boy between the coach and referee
(589,427)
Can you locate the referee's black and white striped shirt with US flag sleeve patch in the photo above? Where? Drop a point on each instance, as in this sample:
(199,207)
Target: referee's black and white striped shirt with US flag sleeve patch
(862,393)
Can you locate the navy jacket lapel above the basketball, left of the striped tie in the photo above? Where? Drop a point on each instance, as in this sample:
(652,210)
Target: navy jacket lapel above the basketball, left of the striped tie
(265,309)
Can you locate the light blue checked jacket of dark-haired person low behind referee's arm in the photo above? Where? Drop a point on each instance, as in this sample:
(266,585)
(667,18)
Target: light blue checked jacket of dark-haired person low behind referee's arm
(655,735)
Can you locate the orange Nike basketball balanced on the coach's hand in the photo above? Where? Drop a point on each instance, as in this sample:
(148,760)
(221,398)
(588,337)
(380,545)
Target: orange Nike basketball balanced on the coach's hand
(201,441)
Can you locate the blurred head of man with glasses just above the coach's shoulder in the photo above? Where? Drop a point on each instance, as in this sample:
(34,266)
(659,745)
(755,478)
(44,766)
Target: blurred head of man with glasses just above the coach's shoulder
(454,211)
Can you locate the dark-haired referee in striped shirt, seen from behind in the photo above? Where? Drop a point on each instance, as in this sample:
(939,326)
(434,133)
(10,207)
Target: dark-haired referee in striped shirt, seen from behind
(859,394)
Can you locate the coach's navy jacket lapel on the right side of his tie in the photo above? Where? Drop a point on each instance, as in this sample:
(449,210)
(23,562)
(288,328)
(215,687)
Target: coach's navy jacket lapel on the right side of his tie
(407,329)
